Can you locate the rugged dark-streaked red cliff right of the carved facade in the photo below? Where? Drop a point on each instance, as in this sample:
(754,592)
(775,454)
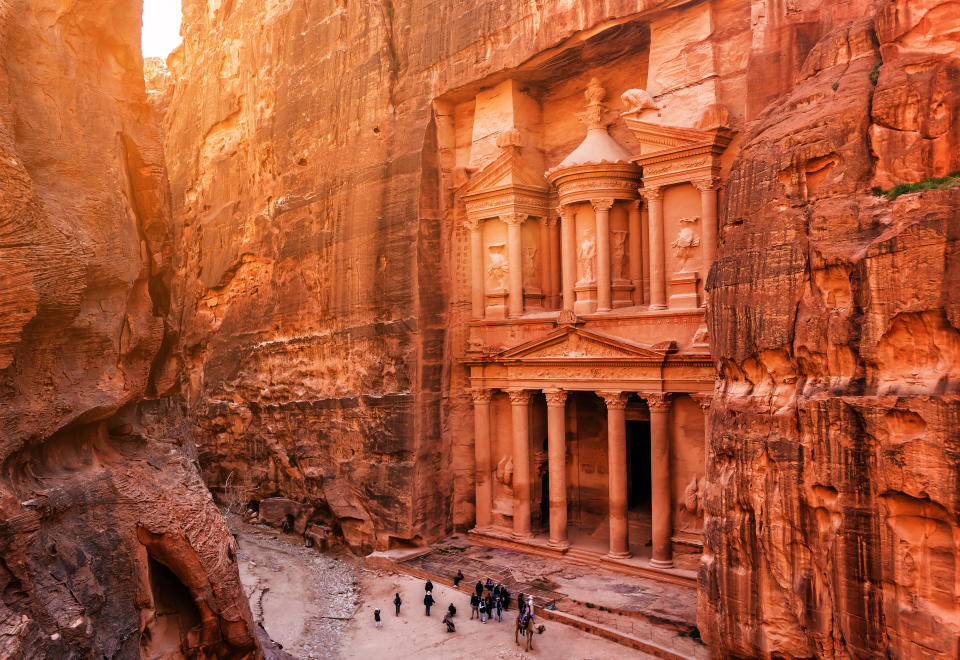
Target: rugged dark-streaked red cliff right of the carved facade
(832,507)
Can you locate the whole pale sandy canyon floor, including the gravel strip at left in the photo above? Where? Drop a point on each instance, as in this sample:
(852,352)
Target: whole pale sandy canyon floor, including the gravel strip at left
(320,606)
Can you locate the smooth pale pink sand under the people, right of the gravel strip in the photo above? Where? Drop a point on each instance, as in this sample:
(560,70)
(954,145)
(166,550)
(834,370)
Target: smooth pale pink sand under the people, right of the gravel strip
(413,635)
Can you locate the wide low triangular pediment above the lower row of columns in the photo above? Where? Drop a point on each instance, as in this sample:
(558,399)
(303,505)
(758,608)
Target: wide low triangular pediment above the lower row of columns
(577,343)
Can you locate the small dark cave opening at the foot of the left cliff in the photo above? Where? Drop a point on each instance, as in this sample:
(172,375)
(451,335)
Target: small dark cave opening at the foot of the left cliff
(174,615)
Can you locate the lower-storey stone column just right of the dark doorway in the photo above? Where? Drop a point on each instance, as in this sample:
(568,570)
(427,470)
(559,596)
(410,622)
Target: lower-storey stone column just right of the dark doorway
(660,488)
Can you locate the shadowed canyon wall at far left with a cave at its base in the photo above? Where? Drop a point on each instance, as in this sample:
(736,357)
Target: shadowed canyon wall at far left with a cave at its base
(110,545)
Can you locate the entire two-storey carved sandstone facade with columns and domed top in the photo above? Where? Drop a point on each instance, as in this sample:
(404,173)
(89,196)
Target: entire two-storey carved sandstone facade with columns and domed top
(580,321)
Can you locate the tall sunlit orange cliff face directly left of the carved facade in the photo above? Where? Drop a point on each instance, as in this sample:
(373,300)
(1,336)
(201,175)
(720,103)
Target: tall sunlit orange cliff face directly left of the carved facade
(320,330)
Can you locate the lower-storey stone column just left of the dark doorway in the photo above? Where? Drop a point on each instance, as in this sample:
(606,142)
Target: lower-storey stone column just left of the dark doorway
(617,472)
